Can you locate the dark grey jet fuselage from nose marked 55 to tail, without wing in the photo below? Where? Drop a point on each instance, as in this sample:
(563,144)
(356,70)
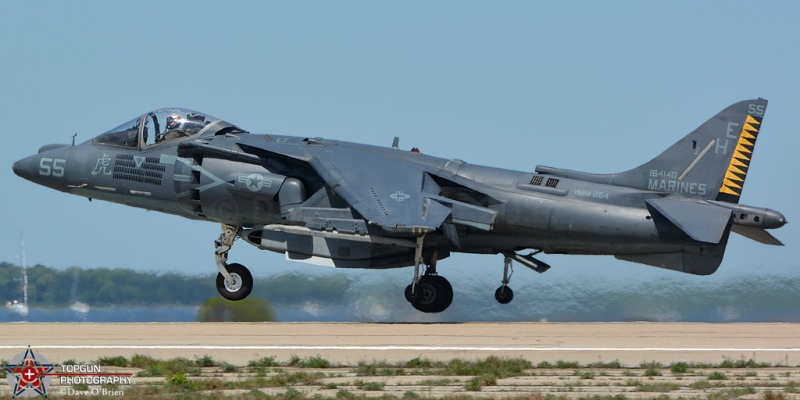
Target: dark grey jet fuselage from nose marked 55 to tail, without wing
(557,215)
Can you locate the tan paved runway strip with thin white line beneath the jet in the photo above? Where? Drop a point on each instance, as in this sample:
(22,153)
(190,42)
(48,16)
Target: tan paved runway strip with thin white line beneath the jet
(349,343)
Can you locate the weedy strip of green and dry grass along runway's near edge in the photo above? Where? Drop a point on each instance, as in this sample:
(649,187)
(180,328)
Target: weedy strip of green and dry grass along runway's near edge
(490,378)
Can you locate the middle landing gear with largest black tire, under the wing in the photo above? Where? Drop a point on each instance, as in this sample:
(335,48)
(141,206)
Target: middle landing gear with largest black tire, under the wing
(430,293)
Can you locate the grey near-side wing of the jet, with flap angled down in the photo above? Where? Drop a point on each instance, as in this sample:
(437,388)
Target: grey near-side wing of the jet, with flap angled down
(393,192)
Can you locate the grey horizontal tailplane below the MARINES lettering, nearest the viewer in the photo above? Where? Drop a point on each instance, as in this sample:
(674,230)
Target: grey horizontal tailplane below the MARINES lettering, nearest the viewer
(702,221)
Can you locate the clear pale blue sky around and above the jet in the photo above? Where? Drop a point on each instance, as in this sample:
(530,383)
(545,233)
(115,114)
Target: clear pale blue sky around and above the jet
(590,86)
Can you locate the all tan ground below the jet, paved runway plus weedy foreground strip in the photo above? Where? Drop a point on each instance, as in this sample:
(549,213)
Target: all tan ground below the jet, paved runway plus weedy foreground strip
(569,361)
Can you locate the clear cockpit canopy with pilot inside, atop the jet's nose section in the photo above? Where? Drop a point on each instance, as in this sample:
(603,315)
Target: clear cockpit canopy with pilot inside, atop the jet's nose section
(164,126)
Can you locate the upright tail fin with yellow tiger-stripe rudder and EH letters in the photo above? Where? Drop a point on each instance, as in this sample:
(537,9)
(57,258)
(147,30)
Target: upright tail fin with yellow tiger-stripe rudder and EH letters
(712,161)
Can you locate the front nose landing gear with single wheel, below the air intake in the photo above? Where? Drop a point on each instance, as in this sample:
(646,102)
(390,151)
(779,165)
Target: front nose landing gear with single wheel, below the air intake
(234,281)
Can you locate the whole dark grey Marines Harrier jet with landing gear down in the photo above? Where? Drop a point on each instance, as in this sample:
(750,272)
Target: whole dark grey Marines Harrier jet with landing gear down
(352,205)
